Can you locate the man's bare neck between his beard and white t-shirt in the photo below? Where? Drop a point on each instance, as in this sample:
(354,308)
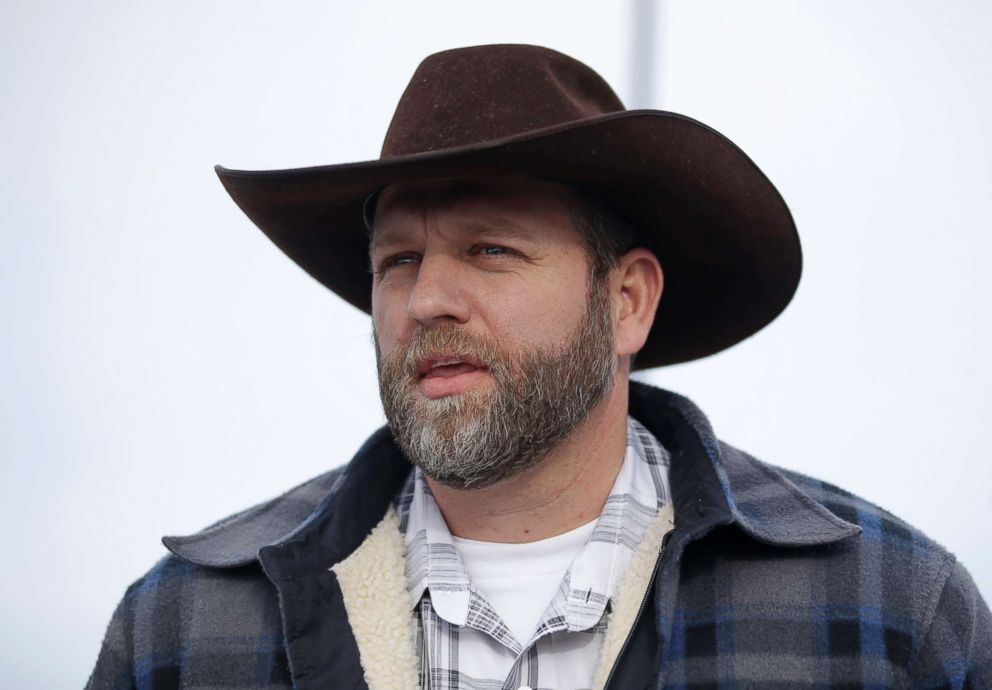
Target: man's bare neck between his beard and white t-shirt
(566,489)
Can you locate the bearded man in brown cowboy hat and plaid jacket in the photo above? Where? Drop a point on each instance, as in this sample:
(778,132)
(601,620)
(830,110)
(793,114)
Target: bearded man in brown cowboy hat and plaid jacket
(530,517)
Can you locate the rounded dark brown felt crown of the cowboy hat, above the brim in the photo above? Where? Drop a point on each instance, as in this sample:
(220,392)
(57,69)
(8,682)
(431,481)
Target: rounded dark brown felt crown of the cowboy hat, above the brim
(482,94)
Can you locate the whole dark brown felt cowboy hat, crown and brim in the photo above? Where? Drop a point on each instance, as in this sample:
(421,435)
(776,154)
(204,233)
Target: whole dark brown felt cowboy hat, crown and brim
(722,232)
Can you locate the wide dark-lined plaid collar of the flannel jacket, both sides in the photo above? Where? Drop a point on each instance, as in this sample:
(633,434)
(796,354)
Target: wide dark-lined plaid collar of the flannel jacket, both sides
(324,520)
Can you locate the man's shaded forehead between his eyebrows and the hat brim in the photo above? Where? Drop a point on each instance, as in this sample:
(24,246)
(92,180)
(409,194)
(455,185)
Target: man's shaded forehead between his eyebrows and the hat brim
(509,201)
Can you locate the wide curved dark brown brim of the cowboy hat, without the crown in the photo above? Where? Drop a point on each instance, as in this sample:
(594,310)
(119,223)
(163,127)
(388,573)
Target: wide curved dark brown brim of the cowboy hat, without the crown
(723,234)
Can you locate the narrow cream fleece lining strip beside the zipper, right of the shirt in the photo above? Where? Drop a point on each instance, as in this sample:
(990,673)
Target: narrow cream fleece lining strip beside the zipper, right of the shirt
(631,592)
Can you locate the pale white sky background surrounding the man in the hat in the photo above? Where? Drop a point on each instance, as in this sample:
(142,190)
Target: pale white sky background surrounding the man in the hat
(163,365)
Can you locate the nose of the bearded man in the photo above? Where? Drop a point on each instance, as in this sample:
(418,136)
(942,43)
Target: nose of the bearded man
(438,295)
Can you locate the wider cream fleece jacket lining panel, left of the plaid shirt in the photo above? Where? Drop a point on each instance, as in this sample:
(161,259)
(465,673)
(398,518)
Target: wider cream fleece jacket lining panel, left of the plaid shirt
(373,583)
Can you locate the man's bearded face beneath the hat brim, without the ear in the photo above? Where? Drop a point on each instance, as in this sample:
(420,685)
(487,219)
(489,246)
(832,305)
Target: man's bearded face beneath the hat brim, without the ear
(492,343)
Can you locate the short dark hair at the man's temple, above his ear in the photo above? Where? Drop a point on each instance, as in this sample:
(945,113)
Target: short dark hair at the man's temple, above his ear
(608,234)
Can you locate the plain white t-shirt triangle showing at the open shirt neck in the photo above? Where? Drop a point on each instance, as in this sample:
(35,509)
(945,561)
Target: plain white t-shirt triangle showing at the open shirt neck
(520,580)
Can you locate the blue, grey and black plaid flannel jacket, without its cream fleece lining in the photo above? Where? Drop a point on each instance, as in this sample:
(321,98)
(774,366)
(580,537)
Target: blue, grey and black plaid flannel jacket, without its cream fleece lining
(769,580)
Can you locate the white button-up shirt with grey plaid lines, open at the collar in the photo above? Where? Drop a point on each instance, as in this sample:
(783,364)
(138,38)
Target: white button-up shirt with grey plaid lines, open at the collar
(463,642)
